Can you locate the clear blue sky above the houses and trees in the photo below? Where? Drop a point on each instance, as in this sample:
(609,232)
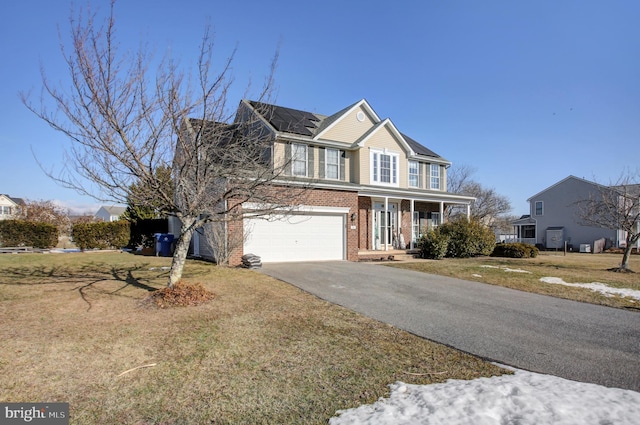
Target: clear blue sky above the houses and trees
(526,92)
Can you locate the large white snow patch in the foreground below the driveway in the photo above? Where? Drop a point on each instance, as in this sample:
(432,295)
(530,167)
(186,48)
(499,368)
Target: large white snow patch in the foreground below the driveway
(524,398)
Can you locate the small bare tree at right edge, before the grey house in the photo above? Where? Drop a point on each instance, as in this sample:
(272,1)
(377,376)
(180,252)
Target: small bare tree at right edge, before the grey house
(615,207)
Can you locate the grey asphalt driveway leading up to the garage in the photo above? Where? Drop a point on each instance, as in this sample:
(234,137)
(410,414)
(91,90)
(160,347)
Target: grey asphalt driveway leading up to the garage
(573,340)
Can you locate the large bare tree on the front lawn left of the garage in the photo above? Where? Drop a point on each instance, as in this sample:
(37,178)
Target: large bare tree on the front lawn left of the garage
(125,122)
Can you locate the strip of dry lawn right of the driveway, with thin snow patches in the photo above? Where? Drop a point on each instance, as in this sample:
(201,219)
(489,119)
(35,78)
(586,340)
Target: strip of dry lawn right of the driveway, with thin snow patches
(572,268)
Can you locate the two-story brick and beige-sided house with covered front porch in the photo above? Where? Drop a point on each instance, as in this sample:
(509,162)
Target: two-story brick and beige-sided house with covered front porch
(373,187)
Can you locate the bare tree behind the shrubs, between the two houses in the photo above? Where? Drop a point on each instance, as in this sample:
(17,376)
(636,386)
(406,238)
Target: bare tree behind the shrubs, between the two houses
(488,205)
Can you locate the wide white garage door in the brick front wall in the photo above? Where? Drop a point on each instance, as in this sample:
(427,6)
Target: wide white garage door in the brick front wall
(297,237)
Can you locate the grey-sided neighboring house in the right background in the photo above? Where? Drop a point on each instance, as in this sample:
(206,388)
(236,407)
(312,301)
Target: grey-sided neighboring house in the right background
(554,218)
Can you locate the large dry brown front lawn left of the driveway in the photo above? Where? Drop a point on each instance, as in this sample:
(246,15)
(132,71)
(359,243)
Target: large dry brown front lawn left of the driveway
(261,351)
